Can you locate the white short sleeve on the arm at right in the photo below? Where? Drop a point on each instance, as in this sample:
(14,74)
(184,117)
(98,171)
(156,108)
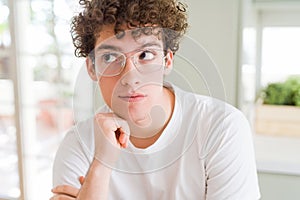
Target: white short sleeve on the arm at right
(230,163)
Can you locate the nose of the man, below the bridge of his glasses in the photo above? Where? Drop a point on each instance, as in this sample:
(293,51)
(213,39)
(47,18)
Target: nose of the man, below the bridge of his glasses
(130,75)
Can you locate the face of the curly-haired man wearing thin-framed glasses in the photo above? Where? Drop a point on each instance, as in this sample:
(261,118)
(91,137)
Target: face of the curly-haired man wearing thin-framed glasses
(132,91)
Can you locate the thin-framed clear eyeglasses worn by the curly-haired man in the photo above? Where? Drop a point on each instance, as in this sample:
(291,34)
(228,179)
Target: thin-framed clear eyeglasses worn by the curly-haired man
(110,64)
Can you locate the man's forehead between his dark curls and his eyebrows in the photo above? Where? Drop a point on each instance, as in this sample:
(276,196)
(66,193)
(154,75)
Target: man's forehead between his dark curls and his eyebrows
(127,41)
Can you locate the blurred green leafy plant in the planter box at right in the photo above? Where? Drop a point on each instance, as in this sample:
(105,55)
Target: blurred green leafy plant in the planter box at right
(283,93)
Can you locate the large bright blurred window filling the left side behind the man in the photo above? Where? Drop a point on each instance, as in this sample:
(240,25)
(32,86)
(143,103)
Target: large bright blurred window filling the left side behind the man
(38,66)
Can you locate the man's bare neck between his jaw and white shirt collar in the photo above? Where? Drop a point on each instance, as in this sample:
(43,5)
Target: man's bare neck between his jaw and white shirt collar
(142,137)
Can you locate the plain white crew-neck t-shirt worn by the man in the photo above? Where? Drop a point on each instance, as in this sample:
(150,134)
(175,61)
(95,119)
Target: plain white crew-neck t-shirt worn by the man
(205,152)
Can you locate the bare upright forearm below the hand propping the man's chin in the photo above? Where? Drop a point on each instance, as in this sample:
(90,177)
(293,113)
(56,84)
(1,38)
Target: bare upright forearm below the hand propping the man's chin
(96,184)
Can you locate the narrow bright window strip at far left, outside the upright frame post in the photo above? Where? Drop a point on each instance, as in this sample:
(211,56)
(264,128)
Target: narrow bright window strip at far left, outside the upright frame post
(9,188)
